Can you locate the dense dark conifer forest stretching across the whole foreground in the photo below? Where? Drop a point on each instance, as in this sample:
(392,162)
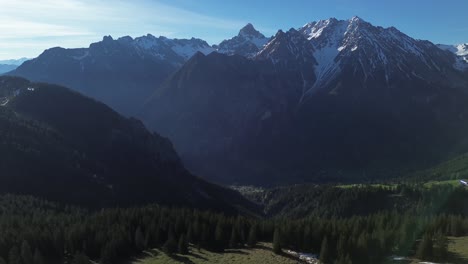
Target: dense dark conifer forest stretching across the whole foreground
(37,231)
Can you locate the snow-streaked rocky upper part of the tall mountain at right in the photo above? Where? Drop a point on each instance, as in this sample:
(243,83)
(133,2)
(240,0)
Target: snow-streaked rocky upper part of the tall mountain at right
(358,47)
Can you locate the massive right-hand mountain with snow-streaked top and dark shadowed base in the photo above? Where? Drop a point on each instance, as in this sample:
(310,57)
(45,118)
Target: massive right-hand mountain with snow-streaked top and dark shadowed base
(331,100)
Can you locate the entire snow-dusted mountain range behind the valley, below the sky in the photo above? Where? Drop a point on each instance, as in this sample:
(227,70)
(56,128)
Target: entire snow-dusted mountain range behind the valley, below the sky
(331,100)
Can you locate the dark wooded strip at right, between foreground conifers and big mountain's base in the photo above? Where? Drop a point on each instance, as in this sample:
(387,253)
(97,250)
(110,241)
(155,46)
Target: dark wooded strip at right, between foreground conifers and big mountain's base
(300,201)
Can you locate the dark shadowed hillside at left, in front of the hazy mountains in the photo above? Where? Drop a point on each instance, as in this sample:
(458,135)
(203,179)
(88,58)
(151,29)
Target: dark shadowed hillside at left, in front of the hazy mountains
(61,145)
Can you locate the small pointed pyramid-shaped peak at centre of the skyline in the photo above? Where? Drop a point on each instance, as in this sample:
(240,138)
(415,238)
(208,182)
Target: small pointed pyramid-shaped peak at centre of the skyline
(247,43)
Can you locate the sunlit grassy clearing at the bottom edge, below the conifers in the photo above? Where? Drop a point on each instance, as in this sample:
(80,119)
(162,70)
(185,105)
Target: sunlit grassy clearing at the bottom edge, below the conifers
(262,254)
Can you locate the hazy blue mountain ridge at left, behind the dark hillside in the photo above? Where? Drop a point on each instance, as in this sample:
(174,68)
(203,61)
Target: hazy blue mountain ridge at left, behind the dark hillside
(121,73)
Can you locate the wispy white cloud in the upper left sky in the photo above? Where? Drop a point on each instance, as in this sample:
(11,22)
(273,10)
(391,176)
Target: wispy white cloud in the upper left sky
(59,20)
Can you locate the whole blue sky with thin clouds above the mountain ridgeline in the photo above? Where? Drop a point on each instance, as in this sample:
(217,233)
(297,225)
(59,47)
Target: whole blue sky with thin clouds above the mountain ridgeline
(27,27)
